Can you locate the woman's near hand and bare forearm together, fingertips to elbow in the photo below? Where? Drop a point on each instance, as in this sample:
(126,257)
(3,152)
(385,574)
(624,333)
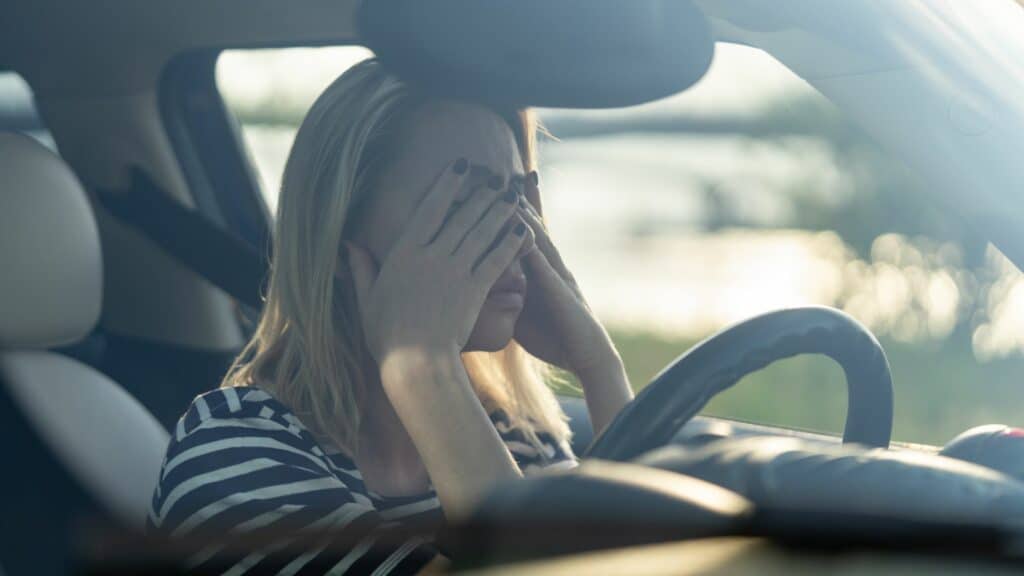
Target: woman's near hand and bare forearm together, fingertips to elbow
(418,311)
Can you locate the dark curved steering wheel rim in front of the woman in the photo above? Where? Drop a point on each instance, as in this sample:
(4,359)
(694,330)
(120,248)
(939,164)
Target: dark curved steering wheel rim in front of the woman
(687,386)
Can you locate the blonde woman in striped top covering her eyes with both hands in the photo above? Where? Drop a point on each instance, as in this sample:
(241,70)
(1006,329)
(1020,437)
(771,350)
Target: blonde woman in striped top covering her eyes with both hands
(394,374)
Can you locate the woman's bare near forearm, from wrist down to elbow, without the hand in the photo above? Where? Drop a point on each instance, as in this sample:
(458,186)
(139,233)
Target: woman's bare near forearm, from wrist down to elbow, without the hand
(459,446)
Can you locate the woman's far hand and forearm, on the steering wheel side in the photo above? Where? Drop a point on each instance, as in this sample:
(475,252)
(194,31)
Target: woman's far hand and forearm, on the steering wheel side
(558,325)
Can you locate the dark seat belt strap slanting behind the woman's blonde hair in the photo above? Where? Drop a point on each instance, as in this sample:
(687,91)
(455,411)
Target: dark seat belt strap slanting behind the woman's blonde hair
(215,254)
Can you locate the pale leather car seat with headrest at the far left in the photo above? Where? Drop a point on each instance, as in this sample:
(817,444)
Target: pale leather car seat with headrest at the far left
(51,296)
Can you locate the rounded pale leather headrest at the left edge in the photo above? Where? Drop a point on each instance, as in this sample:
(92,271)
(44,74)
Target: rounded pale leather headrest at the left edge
(51,264)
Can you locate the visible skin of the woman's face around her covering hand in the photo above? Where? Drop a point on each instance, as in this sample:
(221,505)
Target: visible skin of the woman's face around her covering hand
(441,134)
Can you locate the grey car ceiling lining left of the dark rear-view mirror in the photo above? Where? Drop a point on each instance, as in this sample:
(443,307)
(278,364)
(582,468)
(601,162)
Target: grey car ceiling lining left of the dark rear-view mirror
(110,47)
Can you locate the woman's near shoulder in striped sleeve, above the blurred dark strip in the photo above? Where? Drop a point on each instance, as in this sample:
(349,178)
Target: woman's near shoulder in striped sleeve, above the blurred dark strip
(236,444)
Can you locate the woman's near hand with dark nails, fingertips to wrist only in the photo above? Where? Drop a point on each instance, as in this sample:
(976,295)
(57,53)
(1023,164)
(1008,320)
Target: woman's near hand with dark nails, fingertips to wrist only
(431,287)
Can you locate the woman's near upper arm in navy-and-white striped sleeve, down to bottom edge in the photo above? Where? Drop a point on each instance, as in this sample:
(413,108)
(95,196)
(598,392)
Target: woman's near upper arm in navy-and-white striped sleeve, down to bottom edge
(253,495)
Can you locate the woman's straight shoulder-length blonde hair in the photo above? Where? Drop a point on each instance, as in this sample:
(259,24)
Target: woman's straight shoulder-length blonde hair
(309,350)
